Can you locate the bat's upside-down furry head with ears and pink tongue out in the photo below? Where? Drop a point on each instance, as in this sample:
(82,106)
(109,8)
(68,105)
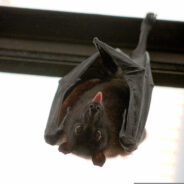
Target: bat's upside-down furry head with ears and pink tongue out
(87,130)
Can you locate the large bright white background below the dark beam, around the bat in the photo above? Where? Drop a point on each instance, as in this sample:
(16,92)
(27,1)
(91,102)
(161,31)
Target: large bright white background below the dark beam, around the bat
(25,102)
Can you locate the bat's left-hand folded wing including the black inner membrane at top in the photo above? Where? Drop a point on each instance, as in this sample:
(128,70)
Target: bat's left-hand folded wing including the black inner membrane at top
(88,69)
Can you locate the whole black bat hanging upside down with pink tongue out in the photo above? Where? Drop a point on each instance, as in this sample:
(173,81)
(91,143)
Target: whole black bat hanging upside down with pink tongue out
(102,104)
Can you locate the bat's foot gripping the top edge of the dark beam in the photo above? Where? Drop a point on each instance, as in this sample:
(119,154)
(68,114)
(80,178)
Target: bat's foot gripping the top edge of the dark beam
(149,21)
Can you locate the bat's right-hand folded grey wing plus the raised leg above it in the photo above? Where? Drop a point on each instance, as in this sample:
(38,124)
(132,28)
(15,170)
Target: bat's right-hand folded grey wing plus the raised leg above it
(137,73)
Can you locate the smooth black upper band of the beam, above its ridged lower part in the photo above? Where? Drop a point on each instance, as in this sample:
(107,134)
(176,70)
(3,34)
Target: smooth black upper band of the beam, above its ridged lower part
(81,28)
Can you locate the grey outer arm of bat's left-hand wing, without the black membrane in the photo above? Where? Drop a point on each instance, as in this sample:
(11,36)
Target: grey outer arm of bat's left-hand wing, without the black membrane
(54,126)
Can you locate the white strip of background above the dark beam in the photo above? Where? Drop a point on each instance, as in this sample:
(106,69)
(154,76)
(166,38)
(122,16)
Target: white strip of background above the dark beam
(165,9)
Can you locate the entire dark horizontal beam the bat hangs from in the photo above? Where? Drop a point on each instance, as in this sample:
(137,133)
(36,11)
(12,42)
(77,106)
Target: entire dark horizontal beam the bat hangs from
(52,43)
